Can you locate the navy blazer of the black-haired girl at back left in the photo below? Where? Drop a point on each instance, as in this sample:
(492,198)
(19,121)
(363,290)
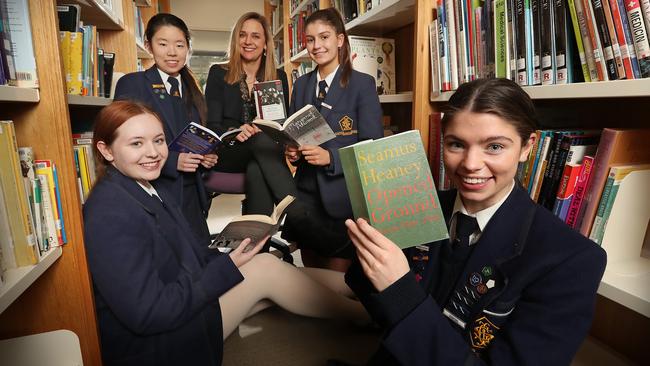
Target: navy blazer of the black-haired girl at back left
(147,87)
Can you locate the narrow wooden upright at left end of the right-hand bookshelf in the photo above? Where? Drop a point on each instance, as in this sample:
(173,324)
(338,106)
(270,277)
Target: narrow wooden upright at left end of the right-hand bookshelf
(422,78)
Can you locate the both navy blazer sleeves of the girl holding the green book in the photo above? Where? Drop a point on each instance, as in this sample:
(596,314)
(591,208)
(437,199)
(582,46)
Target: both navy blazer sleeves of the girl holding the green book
(547,325)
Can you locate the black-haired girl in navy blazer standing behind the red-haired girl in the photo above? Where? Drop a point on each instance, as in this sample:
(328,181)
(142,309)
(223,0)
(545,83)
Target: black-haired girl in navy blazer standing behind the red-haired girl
(169,88)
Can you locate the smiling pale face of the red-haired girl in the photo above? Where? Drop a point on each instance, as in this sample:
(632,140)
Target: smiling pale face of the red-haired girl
(139,150)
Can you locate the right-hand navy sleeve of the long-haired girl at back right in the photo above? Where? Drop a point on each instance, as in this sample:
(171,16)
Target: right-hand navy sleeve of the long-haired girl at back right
(369,114)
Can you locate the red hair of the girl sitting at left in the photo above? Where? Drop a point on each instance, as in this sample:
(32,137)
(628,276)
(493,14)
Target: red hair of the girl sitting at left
(108,120)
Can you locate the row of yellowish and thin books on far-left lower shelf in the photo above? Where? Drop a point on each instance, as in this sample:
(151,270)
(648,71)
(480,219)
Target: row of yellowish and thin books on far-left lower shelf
(31,219)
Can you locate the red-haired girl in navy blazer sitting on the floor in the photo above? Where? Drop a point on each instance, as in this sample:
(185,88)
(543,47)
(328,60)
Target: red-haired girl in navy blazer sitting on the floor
(162,297)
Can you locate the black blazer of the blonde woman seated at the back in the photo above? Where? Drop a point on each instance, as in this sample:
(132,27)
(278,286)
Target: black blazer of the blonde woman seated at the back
(224,100)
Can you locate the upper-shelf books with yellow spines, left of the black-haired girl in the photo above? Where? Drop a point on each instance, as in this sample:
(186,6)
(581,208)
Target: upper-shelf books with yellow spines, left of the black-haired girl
(88,69)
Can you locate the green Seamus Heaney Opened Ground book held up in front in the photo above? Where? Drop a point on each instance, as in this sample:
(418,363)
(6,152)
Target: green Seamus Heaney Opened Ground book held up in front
(390,184)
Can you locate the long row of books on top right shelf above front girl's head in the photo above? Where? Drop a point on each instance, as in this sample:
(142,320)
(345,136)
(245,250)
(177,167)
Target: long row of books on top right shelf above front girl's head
(539,42)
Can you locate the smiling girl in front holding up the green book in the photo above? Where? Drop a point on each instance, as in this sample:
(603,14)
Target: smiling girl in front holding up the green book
(518,289)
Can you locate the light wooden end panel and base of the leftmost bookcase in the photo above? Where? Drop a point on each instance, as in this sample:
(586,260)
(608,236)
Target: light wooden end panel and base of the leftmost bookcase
(62,297)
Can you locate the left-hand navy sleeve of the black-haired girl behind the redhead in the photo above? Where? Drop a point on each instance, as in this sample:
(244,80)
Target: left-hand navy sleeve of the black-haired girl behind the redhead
(130,87)
